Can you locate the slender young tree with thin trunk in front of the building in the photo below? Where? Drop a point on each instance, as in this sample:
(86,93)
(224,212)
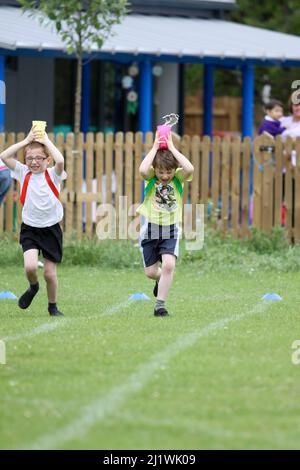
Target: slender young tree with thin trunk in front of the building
(81,24)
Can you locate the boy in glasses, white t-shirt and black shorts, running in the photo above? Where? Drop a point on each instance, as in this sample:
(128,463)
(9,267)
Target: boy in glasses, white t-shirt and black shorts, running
(42,211)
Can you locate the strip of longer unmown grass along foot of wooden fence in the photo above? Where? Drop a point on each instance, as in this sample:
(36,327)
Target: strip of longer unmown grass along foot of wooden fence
(219,253)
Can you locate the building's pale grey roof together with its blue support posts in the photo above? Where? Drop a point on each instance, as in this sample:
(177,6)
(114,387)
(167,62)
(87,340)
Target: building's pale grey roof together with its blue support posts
(149,38)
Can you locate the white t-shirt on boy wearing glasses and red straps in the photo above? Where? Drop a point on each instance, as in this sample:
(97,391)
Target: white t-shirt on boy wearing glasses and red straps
(41,207)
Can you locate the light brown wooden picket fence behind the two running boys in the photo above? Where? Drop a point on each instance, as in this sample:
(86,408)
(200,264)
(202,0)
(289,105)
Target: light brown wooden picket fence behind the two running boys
(101,168)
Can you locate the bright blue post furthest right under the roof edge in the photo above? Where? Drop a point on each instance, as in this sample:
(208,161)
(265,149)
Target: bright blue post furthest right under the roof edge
(248,100)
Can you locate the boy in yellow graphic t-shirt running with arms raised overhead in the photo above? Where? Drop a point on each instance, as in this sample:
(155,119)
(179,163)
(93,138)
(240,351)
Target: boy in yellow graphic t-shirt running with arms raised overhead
(165,172)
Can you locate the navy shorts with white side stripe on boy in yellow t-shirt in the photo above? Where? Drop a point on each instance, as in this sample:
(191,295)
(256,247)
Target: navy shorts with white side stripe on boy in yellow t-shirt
(157,240)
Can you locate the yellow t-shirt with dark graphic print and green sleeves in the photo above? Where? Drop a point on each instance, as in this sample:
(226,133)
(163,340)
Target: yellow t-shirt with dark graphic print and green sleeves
(163,204)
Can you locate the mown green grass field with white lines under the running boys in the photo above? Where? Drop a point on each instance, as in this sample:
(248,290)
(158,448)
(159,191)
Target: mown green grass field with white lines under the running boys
(216,374)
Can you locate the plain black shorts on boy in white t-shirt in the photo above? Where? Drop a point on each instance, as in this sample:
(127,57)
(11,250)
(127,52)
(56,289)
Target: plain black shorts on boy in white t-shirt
(47,240)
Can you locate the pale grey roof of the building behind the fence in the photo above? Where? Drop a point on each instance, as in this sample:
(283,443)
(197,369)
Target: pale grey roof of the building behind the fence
(166,38)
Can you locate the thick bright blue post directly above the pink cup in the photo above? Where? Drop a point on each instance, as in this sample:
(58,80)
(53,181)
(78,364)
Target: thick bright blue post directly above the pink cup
(145,98)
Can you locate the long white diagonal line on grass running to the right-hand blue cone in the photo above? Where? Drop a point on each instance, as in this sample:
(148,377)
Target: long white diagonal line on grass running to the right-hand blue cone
(110,402)
